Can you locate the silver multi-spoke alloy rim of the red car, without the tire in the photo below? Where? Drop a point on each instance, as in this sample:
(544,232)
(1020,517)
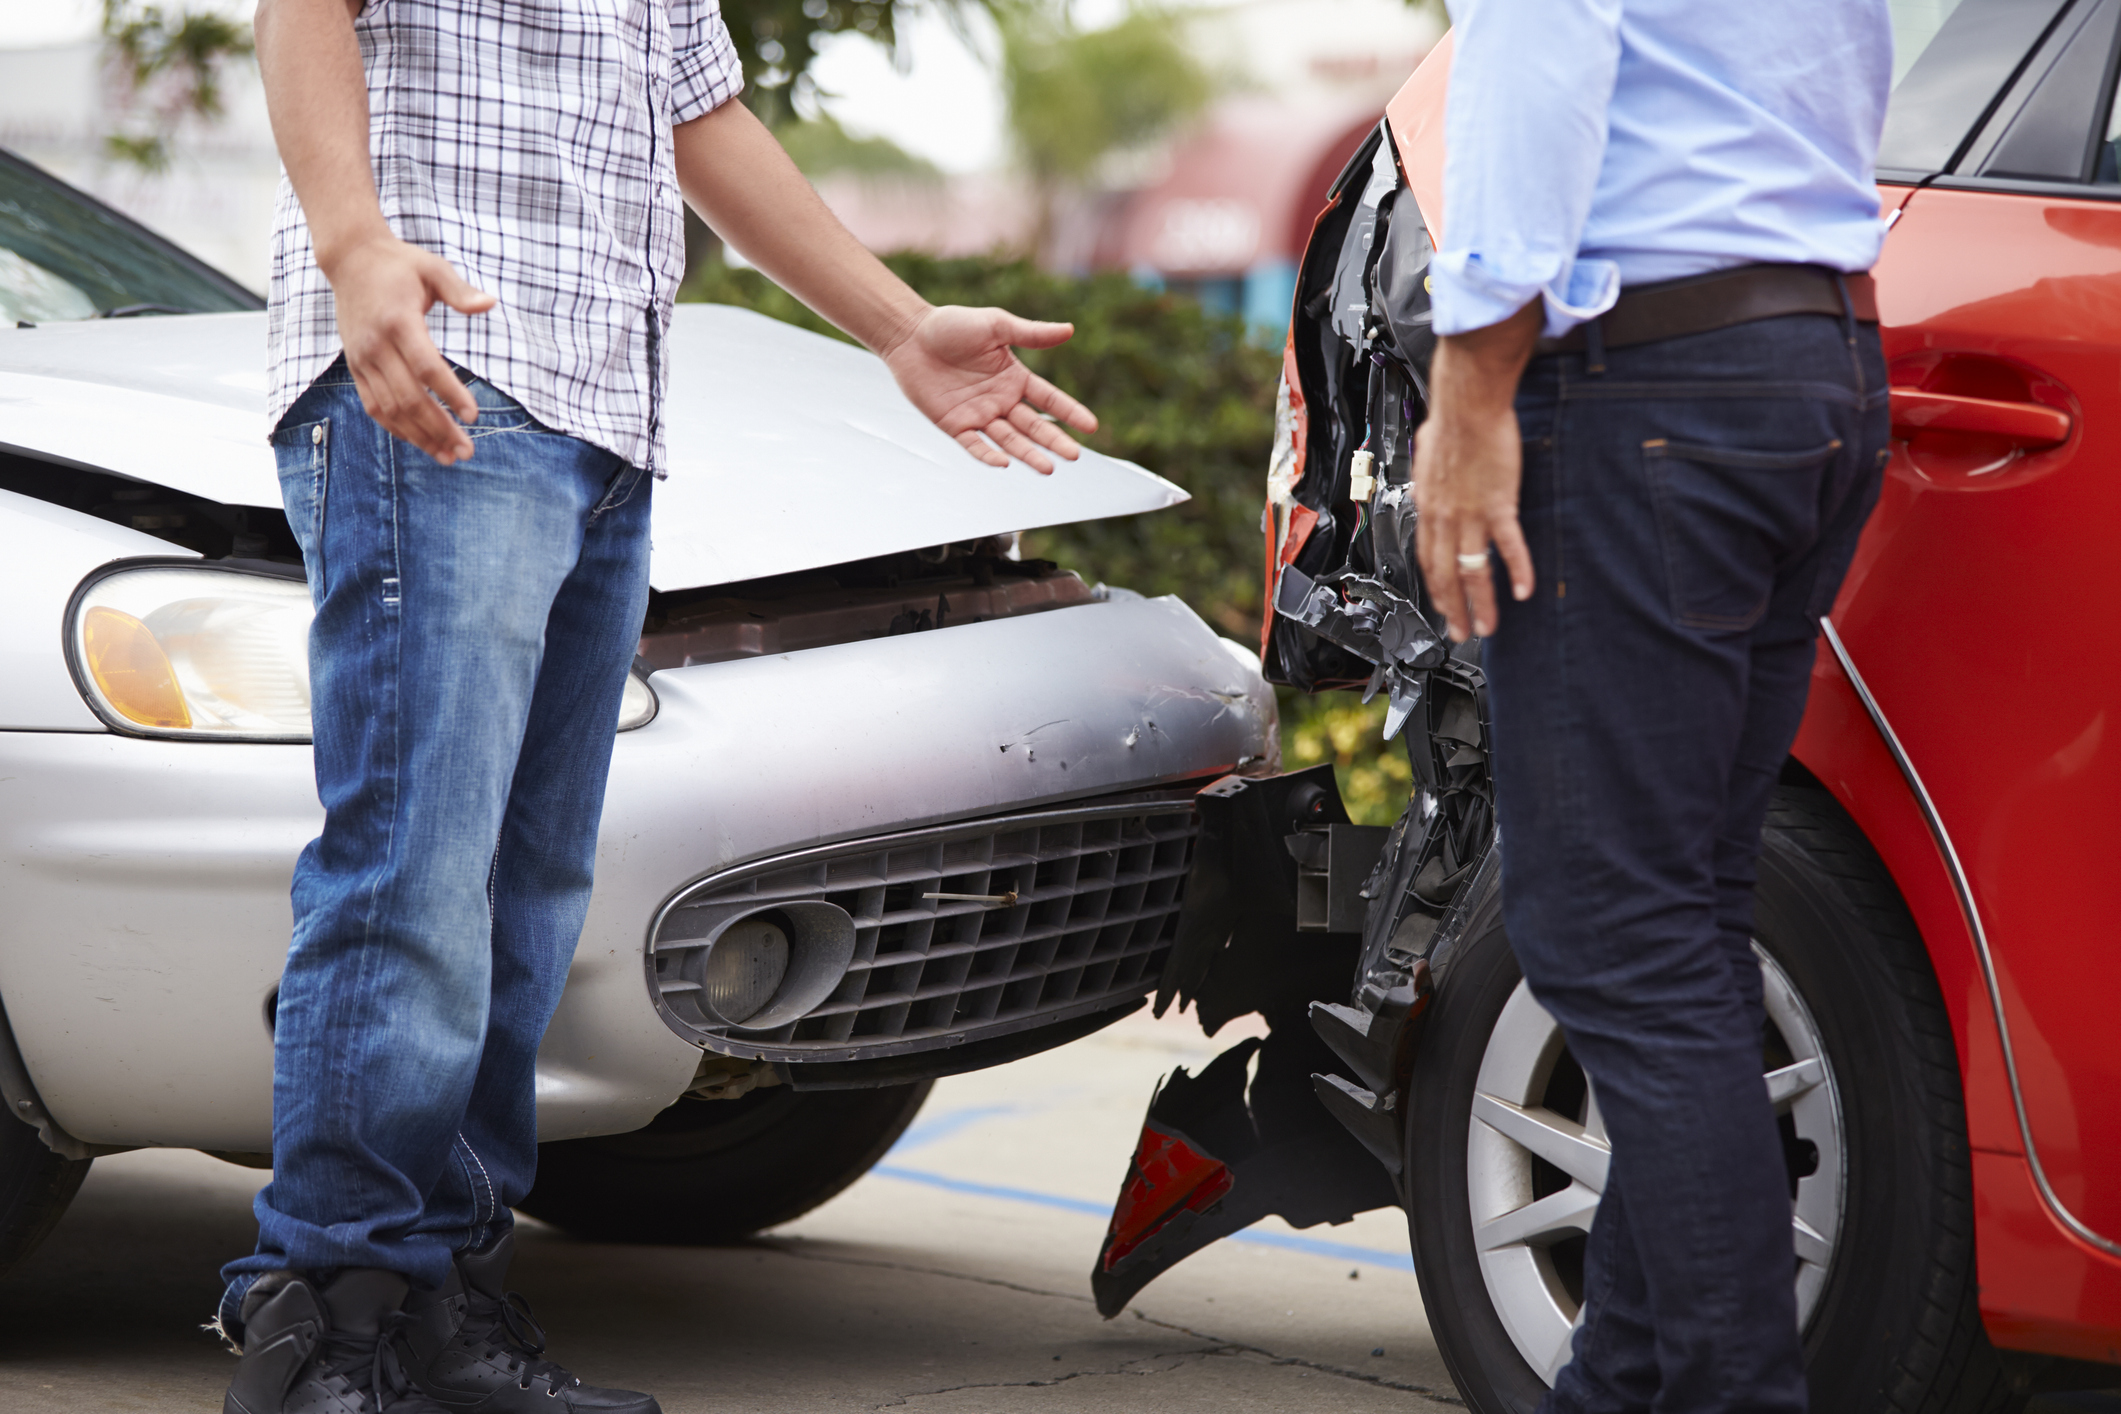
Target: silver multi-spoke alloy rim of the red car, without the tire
(1526,1235)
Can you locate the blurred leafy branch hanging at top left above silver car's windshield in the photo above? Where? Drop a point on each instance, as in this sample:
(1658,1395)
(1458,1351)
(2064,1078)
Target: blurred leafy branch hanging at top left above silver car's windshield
(169,69)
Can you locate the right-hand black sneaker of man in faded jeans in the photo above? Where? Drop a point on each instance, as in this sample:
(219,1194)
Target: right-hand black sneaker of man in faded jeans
(474,1347)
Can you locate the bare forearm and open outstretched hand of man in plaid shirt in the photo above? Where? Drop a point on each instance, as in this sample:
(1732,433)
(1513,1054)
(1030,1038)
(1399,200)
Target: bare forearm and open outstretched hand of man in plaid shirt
(956,366)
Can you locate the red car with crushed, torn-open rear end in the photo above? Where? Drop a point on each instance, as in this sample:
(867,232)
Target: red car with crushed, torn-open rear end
(1940,889)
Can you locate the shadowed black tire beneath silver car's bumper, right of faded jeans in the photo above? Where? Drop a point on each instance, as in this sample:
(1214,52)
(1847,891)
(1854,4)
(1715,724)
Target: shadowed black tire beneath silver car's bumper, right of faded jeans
(718,1171)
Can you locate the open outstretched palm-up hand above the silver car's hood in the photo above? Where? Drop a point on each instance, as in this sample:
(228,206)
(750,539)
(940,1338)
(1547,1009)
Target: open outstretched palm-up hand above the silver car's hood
(956,366)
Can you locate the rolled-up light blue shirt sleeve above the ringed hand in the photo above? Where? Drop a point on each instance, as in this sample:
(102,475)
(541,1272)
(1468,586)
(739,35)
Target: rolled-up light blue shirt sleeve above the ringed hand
(1524,143)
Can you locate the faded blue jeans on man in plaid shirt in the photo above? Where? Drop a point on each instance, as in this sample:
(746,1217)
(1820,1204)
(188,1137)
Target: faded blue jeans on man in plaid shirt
(474,631)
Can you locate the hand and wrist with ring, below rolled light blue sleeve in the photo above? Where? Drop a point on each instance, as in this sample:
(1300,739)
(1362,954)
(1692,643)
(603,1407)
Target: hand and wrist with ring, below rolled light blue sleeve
(1469,461)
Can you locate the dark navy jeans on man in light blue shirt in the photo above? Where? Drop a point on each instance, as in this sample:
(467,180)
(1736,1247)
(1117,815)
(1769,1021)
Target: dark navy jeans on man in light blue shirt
(1691,512)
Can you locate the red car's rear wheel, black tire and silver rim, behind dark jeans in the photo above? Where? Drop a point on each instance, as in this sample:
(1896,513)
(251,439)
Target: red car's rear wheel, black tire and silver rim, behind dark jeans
(1861,1061)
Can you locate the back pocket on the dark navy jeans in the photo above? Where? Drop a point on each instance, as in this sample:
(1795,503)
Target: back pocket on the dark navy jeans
(1728,520)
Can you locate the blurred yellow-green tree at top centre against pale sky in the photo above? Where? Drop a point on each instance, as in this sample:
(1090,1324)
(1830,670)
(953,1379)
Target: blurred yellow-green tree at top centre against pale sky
(1079,96)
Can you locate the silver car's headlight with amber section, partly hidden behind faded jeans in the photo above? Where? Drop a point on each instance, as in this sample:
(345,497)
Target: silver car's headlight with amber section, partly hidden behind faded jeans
(205,652)
